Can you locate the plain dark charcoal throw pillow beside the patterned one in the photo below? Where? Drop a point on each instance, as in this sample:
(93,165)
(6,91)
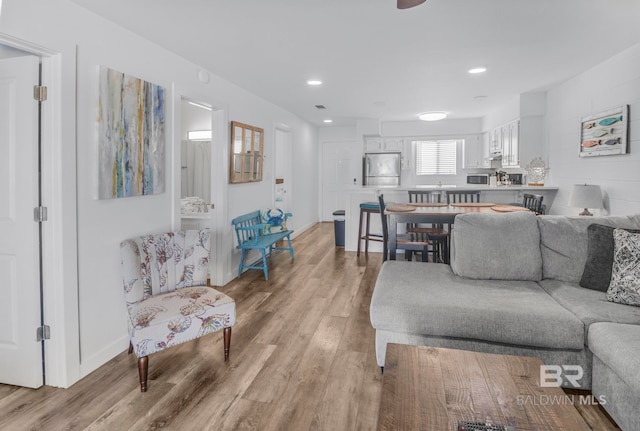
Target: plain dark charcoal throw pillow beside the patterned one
(597,269)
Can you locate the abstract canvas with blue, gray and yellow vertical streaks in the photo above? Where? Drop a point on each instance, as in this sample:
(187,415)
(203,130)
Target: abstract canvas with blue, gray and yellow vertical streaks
(131,136)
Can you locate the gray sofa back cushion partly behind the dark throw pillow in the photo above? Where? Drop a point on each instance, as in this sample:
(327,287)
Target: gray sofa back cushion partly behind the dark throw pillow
(564,242)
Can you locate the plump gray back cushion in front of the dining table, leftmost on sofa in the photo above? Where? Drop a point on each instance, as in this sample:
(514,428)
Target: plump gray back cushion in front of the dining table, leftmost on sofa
(497,246)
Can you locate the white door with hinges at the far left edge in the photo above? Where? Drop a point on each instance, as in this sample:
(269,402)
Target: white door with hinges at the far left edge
(20,305)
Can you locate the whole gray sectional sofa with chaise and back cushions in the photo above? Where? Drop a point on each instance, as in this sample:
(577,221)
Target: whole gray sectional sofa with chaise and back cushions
(516,285)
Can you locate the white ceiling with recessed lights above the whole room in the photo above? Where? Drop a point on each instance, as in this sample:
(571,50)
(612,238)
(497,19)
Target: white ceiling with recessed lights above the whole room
(380,62)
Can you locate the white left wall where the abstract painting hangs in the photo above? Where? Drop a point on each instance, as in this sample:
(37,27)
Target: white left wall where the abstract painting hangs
(85,42)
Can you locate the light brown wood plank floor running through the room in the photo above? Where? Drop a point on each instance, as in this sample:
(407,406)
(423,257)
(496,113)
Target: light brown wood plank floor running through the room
(302,358)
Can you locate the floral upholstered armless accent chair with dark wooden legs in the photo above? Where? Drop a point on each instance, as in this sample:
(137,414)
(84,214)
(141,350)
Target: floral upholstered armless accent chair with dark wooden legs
(167,297)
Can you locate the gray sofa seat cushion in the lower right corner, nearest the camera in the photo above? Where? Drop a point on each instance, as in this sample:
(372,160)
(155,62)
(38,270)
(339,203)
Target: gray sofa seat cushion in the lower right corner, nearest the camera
(616,345)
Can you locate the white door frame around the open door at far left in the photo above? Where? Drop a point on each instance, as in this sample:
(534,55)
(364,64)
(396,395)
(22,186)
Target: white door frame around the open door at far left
(59,232)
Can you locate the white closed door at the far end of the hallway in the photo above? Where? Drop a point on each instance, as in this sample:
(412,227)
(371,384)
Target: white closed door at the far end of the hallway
(341,170)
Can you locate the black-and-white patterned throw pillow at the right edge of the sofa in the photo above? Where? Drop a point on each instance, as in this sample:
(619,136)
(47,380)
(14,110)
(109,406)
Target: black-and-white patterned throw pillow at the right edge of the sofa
(625,273)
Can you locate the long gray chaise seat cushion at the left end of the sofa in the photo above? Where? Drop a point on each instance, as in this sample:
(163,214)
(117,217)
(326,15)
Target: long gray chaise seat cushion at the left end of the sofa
(429,299)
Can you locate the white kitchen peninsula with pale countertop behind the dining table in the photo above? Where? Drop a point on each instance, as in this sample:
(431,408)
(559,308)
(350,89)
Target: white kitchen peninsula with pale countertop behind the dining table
(399,194)
